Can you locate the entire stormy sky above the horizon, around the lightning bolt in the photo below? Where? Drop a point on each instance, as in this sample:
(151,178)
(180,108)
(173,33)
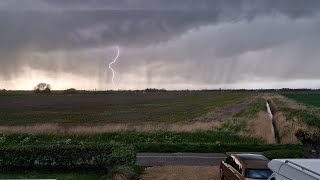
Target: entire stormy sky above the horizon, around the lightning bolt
(171,44)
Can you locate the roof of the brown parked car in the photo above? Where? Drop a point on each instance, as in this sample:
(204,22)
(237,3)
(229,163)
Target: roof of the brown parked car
(253,161)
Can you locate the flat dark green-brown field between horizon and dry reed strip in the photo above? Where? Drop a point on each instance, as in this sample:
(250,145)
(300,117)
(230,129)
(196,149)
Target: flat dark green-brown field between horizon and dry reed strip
(117,107)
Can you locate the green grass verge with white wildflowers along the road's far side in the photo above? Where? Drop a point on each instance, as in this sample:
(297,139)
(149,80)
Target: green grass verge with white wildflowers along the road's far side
(129,137)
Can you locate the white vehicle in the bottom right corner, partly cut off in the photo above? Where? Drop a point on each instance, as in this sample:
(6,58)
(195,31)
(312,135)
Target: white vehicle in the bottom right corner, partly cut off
(295,169)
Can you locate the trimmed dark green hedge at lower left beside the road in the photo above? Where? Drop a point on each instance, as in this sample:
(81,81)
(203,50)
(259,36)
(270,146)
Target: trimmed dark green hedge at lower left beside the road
(67,157)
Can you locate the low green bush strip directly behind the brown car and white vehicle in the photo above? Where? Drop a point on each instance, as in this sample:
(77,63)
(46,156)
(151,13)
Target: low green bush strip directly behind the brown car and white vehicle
(283,154)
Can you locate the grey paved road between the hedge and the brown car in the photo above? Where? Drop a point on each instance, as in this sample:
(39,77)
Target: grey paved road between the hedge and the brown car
(188,159)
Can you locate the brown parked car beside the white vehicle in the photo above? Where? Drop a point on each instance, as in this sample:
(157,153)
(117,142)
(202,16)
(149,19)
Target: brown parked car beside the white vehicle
(245,167)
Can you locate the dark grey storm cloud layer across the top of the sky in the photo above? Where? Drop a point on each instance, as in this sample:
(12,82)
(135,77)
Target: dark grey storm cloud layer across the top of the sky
(84,23)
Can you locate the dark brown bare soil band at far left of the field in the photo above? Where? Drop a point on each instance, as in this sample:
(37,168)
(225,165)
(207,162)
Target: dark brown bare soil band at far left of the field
(74,103)
